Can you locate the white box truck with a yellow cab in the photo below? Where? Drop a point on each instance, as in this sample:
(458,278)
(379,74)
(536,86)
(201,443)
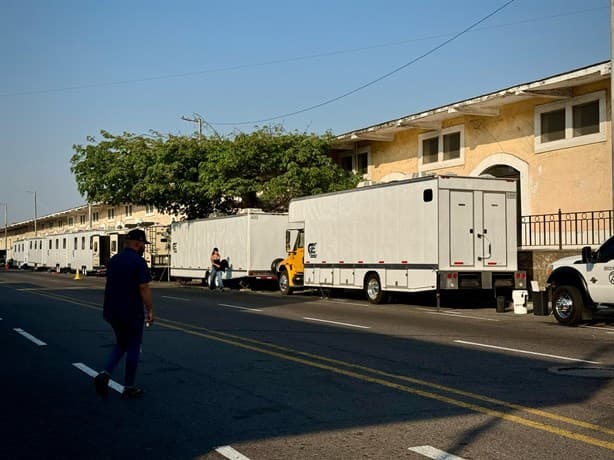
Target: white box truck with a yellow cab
(432,233)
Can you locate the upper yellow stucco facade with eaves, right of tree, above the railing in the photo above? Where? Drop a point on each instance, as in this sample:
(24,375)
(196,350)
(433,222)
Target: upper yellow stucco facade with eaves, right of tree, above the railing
(553,135)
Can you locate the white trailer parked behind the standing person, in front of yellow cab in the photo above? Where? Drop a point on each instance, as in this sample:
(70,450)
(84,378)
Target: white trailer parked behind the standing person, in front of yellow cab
(249,241)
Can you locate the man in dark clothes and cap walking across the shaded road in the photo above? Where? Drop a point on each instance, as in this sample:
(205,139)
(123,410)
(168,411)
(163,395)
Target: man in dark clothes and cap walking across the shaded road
(128,304)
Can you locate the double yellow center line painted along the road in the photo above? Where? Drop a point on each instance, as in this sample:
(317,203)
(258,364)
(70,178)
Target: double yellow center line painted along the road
(282,353)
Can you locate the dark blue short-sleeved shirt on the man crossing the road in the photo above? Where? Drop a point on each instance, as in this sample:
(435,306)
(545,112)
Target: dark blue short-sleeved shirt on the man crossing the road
(122,298)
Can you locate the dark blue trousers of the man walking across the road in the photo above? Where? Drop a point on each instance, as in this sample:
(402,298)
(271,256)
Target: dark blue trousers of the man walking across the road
(129,337)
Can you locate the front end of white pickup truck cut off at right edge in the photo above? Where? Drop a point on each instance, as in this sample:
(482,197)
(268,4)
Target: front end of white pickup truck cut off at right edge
(582,285)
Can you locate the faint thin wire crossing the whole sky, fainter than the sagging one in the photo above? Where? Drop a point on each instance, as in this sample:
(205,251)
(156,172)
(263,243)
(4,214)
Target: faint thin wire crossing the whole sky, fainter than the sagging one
(287,60)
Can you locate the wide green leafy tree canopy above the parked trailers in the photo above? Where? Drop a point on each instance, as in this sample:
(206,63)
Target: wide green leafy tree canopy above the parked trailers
(198,176)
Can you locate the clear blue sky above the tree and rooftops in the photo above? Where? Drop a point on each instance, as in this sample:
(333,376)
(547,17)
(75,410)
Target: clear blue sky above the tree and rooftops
(73,68)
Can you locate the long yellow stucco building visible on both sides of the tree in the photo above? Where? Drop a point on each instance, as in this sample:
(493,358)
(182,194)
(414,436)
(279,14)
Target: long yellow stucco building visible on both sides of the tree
(553,135)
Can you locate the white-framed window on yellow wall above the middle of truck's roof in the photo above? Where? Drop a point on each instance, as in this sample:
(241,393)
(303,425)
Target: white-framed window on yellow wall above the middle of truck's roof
(441,149)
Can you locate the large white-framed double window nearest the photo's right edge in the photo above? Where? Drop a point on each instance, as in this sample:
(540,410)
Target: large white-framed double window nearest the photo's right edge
(571,122)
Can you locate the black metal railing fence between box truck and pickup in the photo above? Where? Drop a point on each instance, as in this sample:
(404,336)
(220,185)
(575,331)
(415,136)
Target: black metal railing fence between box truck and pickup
(566,229)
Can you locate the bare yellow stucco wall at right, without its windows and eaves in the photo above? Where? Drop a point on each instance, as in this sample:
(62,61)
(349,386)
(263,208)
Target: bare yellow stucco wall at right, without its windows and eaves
(571,179)
